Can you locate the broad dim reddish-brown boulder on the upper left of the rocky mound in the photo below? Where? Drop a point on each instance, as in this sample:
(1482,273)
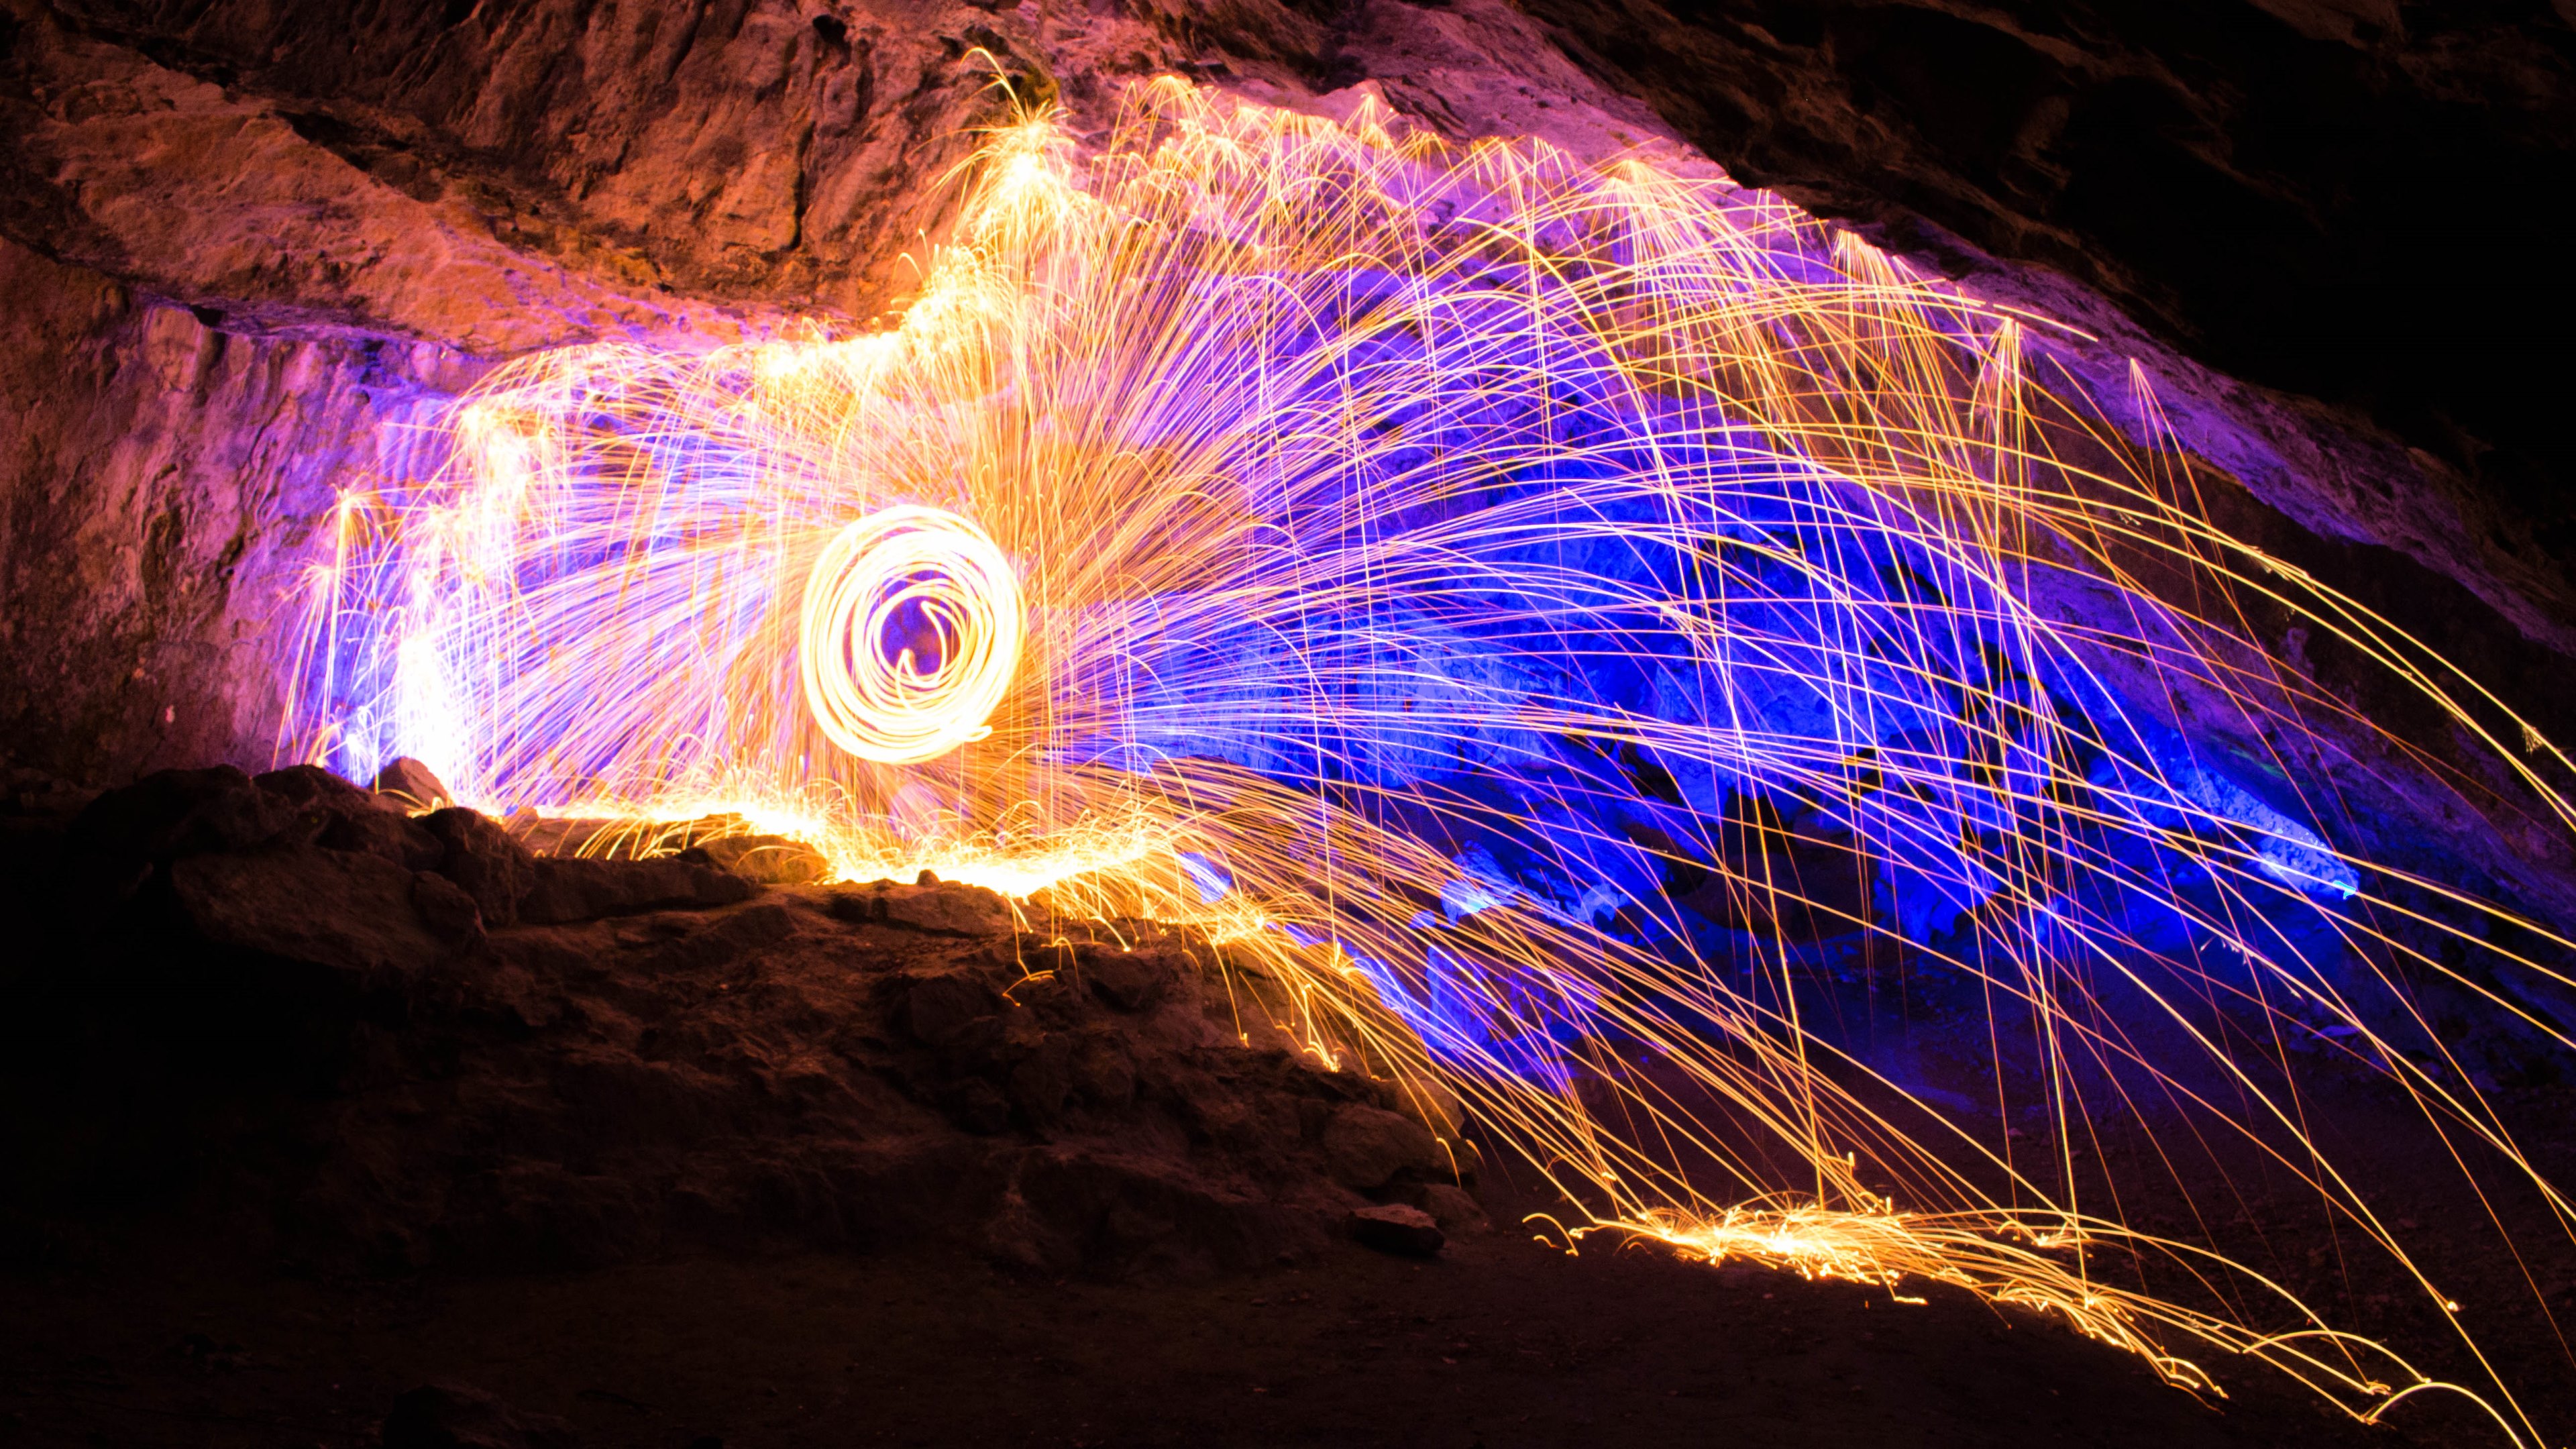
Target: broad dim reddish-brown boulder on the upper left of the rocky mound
(303,904)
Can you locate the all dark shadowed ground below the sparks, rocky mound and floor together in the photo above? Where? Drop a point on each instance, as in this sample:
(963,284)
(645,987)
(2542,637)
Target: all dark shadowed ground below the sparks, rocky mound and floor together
(308,1105)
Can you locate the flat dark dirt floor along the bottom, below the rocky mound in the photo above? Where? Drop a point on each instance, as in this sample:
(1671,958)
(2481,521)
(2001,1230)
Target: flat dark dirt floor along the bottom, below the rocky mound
(1503,1342)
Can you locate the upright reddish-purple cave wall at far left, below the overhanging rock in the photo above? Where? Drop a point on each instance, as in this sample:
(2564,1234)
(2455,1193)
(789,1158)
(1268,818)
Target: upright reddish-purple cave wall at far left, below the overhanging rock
(164,486)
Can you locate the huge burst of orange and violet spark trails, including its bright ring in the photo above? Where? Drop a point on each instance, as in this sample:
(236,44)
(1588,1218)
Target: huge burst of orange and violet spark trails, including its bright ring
(1537,618)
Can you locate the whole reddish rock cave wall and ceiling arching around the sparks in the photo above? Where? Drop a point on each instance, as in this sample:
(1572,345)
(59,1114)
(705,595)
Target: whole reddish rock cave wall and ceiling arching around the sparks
(243,238)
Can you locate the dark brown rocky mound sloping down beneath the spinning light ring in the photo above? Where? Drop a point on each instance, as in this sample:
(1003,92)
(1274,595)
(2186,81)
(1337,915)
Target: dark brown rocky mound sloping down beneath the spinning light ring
(370,1064)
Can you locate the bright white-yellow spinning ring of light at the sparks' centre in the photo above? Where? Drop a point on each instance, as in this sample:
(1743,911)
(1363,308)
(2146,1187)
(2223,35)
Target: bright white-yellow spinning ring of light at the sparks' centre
(880,592)
